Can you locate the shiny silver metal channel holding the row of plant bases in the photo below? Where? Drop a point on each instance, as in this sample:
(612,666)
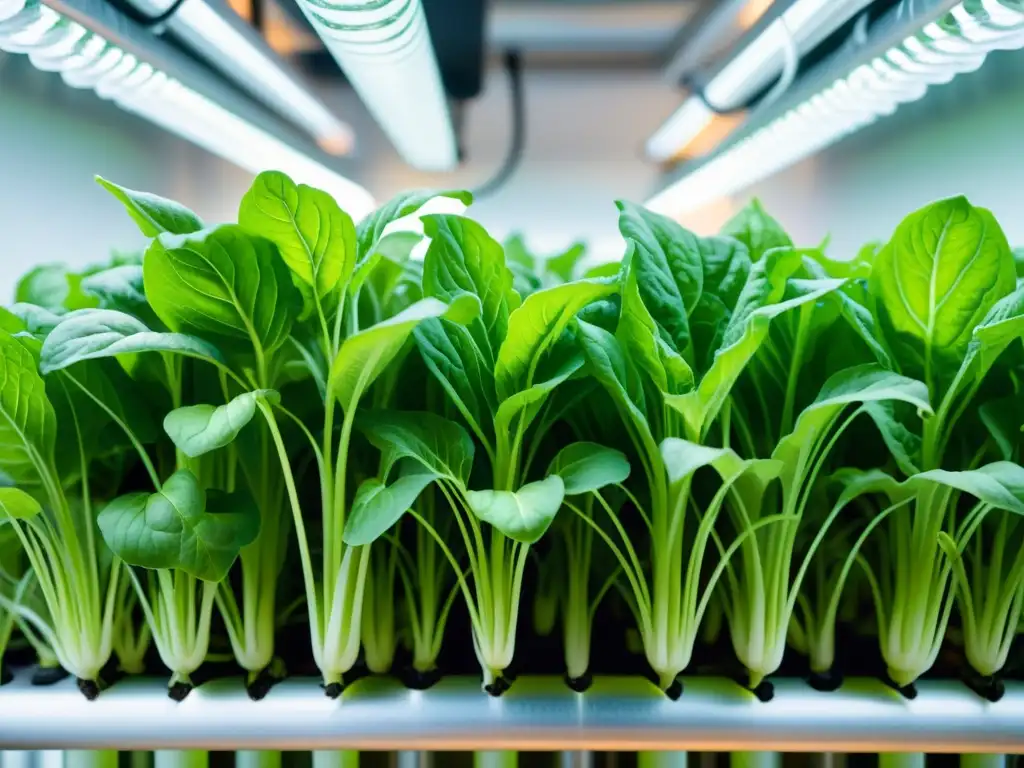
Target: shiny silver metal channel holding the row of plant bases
(536,714)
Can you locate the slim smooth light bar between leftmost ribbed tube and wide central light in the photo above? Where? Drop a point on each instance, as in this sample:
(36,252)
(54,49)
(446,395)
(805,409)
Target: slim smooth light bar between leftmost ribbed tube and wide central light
(229,44)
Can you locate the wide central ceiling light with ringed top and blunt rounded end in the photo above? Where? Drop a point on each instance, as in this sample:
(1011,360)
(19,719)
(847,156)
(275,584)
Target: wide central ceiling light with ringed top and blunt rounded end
(385,49)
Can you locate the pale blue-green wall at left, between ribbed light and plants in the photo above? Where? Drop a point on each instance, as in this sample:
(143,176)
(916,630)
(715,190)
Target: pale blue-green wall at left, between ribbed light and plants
(54,141)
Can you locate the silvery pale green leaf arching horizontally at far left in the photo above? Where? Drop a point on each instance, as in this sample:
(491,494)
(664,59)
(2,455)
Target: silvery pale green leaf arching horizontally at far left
(91,334)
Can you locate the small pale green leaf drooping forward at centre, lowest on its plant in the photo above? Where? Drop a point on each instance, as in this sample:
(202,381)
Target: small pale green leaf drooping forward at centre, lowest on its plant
(523,516)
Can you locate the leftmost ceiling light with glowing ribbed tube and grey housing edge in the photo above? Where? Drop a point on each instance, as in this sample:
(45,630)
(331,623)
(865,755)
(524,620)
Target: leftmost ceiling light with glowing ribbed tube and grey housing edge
(94,47)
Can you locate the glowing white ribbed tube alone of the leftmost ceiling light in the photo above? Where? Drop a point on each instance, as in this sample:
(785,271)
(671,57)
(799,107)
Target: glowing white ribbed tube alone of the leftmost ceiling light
(87,60)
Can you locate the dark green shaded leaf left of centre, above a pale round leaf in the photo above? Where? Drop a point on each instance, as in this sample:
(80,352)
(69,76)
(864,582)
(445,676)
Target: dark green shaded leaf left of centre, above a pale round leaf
(441,446)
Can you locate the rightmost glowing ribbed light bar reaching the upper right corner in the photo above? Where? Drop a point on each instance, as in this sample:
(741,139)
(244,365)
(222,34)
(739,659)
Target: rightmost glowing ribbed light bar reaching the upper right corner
(956,40)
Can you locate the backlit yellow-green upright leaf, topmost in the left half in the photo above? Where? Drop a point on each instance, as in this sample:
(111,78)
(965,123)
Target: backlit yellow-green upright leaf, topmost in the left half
(315,237)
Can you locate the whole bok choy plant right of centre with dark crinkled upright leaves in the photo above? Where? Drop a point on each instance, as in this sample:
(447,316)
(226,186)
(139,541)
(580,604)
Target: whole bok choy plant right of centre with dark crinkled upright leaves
(694,312)
